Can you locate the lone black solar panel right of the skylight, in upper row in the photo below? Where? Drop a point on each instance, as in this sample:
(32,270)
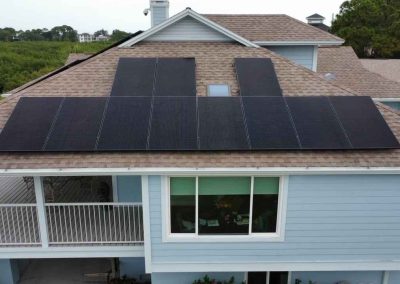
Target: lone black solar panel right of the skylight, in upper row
(257,77)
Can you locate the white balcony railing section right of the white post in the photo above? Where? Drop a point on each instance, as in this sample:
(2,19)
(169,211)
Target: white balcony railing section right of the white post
(95,223)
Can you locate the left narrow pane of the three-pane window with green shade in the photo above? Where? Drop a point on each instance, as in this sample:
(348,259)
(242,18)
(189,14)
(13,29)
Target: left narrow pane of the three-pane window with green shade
(183,204)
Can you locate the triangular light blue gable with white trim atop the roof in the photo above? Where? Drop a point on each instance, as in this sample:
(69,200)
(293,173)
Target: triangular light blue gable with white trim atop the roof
(209,30)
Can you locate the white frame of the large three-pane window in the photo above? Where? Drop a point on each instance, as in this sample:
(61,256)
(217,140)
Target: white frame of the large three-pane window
(278,236)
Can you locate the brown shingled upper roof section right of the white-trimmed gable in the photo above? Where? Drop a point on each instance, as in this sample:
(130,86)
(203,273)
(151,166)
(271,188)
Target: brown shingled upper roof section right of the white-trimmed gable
(272,28)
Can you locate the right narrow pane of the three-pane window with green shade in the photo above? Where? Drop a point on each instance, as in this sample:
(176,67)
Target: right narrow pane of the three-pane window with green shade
(265,204)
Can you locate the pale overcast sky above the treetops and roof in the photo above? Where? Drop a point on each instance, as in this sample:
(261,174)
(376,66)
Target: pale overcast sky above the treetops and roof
(127,15)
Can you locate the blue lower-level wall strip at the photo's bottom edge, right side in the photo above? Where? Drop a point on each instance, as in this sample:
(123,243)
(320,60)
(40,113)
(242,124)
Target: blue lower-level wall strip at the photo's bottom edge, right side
(370,277)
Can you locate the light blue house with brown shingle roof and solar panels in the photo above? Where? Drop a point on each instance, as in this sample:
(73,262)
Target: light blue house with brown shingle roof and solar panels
(193,148)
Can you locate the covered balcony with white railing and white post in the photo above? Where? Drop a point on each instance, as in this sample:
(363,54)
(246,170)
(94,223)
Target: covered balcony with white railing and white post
(66,212)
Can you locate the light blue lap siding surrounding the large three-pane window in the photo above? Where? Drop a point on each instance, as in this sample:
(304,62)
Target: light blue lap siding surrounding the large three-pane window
(328,218)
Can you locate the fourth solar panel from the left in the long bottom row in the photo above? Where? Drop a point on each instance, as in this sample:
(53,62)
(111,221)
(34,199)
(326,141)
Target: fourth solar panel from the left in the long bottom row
(174,124)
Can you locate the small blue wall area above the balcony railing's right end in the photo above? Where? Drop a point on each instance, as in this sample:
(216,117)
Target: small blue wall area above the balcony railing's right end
(129,188)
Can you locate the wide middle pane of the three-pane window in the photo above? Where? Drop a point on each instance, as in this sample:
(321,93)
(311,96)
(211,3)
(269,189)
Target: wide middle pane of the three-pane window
(224,204)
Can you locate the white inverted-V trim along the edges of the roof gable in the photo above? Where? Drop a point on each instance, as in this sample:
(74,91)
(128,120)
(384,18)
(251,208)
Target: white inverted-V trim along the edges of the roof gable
(185,13)
